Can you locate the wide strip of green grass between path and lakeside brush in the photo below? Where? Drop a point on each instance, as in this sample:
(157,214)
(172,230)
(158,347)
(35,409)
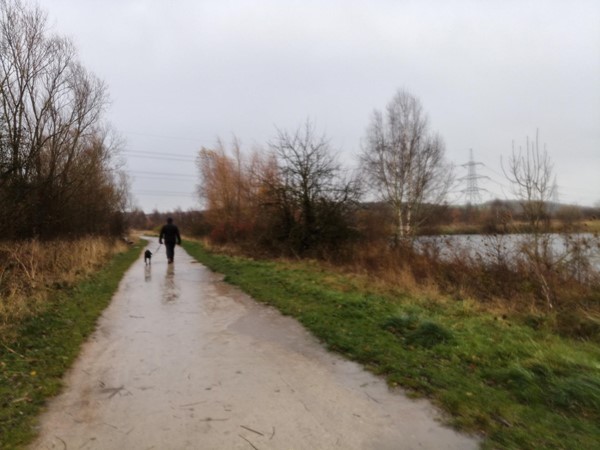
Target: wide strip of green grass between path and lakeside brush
(516,386)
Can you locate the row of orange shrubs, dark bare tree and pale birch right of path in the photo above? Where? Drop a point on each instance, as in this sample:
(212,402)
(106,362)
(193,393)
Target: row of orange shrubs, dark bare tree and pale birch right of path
(296,198)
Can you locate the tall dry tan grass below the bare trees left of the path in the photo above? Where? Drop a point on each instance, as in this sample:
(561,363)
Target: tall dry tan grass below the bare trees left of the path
(30,270)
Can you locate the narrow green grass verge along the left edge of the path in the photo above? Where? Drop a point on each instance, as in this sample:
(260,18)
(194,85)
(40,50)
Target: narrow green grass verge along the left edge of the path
(32,365)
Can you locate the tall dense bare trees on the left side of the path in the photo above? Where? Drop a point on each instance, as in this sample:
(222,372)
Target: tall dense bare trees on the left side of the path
(58,172)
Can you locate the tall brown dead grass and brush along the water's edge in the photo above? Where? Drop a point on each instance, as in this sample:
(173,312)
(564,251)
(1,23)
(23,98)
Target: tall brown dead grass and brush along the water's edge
(494,279)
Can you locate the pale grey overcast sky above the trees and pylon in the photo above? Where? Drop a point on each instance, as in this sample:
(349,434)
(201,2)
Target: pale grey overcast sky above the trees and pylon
(184,72)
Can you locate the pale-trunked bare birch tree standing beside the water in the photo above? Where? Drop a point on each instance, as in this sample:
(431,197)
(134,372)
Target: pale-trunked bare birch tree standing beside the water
(404,161)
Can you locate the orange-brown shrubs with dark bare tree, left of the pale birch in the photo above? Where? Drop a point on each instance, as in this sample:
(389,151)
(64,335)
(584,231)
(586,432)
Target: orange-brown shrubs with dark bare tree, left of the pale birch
(290,199)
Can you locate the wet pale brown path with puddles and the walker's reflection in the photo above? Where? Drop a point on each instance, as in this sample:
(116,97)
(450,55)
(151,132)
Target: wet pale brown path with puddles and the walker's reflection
(181,360)
